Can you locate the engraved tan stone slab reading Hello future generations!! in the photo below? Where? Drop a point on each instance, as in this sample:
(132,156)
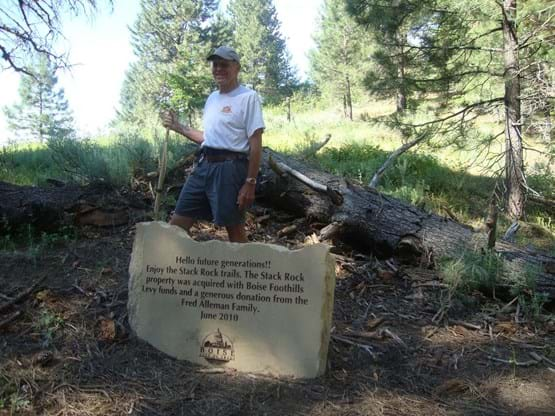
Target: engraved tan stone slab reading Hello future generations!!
(253,307)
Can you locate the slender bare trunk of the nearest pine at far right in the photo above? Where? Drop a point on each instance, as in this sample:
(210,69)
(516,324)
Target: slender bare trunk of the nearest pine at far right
(514,161)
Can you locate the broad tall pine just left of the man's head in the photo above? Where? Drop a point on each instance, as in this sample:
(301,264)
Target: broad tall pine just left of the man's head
(171,40)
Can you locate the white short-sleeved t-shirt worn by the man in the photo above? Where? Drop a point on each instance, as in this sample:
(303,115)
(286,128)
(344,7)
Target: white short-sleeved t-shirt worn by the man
(231,118)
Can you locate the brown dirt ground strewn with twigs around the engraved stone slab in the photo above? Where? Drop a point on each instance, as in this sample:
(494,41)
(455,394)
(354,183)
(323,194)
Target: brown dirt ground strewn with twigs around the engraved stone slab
(67,348)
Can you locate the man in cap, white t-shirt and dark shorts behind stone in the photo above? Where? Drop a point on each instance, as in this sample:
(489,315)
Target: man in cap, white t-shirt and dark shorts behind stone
(222,185)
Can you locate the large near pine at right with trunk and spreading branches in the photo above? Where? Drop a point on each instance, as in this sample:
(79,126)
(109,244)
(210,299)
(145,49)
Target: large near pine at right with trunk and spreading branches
(470,58)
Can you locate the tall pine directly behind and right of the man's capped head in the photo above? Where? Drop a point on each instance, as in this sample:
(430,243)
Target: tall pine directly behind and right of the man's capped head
(265,61)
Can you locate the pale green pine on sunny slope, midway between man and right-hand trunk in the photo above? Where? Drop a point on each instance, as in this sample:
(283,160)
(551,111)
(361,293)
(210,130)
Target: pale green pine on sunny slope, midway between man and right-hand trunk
(340,60)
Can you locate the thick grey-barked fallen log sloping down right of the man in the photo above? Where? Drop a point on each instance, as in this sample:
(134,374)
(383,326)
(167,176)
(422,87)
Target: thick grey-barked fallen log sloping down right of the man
(383,225)
